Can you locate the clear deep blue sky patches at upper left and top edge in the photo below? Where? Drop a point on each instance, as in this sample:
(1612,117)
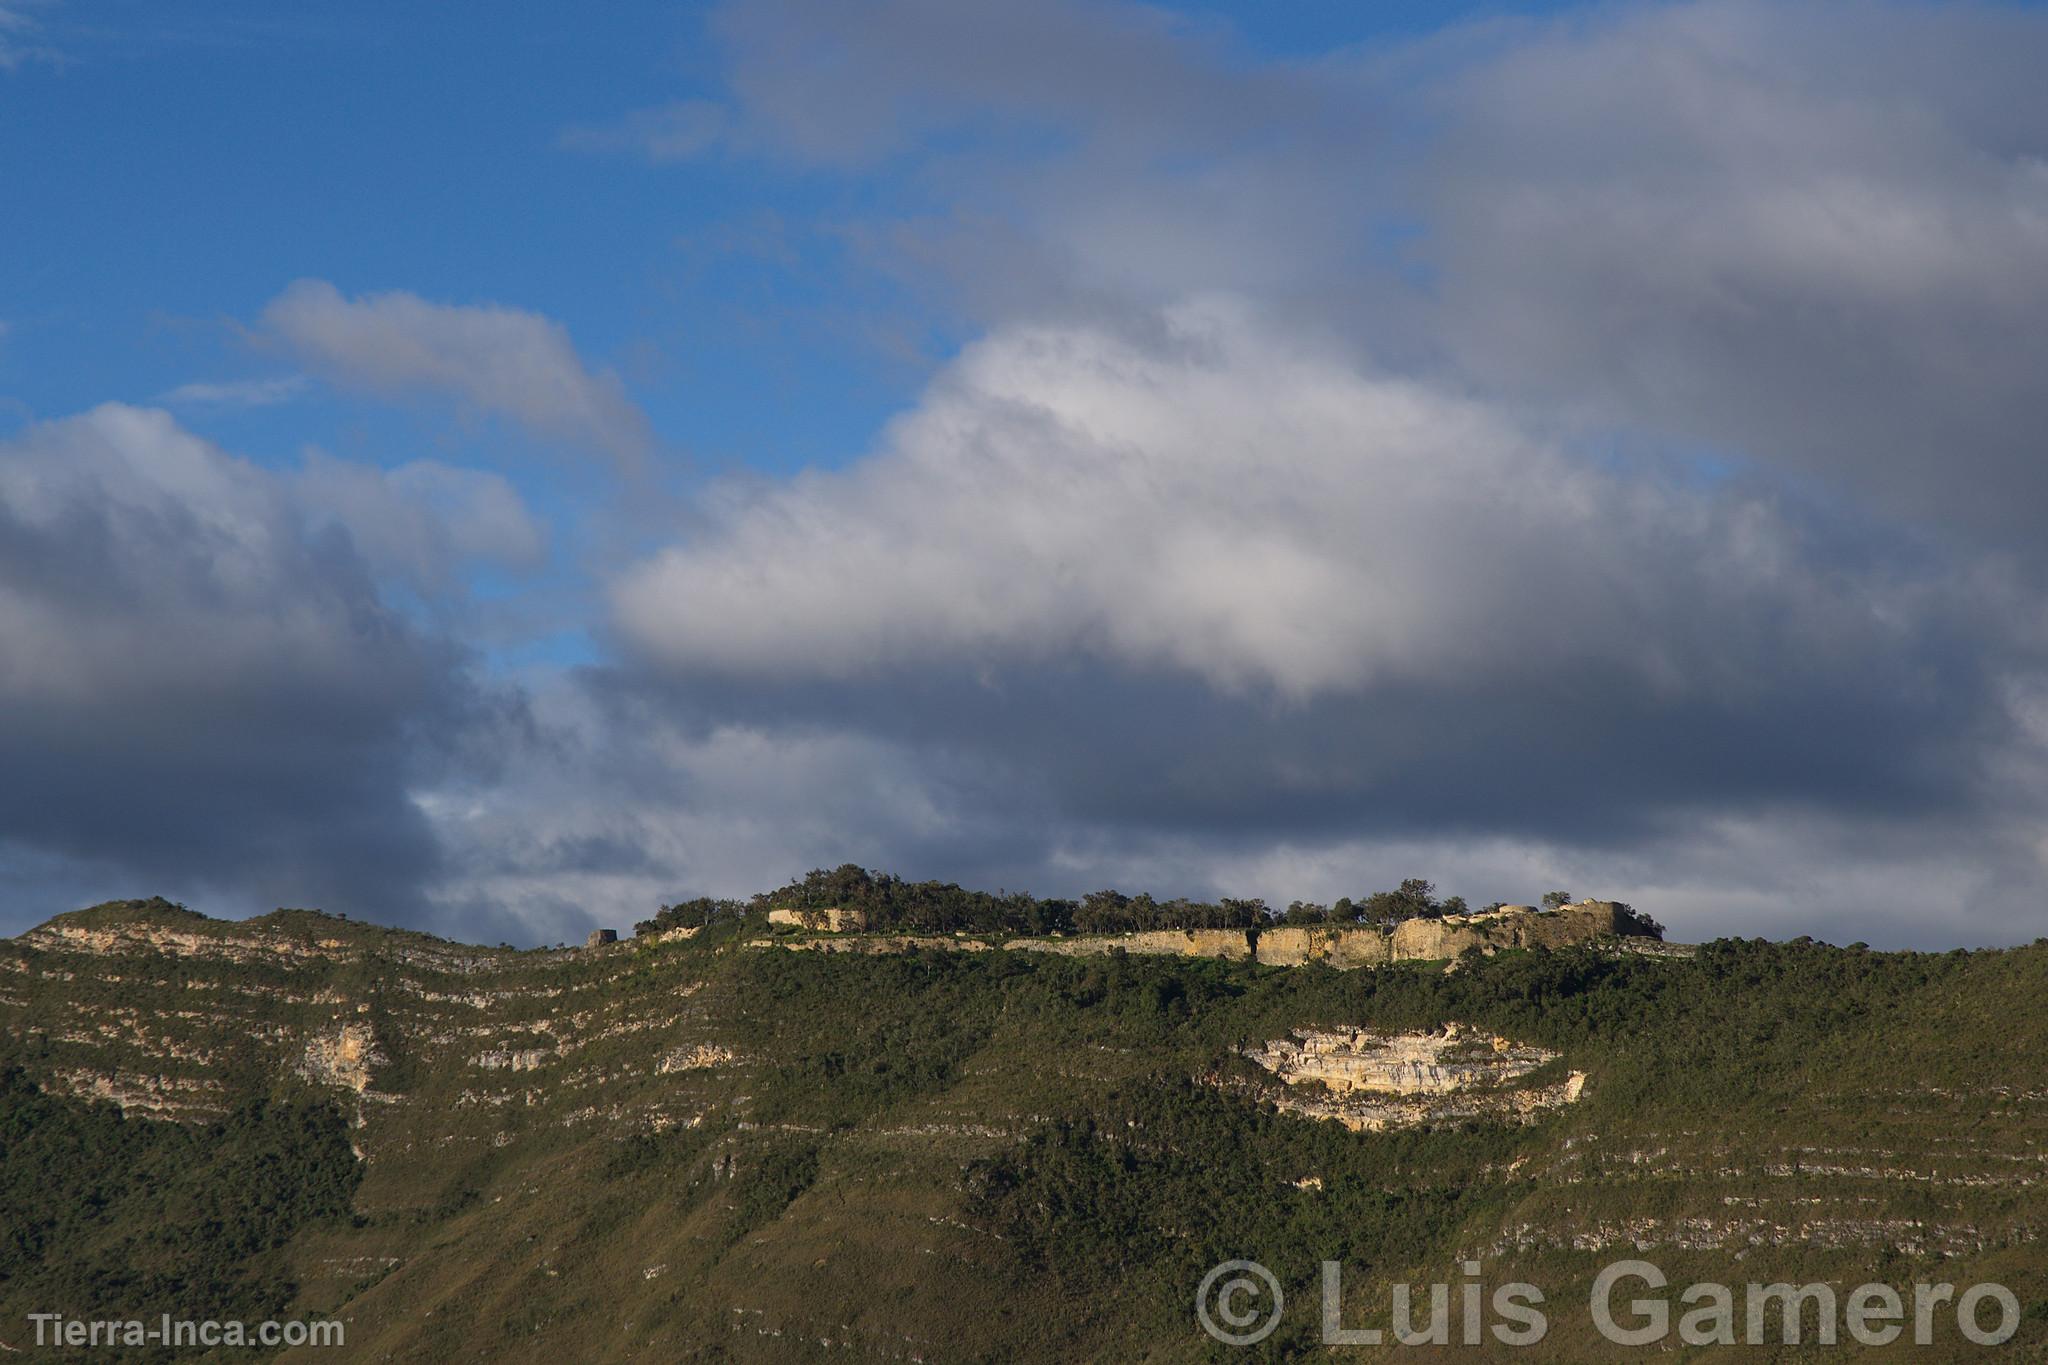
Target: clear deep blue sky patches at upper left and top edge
(171,173)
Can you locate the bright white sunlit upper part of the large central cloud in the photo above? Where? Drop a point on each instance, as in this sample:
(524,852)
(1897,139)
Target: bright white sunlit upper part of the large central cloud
(1244,509)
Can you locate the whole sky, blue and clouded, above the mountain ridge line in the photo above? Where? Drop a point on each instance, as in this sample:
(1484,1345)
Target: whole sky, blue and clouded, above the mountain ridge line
(505,470)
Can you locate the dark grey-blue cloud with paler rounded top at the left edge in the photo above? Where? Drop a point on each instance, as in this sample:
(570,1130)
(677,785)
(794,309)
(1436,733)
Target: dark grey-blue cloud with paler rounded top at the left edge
(202,693)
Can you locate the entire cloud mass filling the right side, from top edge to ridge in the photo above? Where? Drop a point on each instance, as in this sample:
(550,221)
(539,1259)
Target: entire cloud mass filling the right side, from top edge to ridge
(1601,439)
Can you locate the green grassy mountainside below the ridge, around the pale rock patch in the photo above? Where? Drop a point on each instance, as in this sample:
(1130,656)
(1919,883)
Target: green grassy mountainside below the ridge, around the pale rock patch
(1019,1157)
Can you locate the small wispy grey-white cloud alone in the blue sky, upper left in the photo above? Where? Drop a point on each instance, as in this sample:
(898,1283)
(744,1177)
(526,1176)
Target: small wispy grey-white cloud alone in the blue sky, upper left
(493,359)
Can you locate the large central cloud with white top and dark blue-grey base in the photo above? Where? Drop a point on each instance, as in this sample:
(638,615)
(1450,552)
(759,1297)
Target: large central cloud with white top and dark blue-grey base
(1224,592)
